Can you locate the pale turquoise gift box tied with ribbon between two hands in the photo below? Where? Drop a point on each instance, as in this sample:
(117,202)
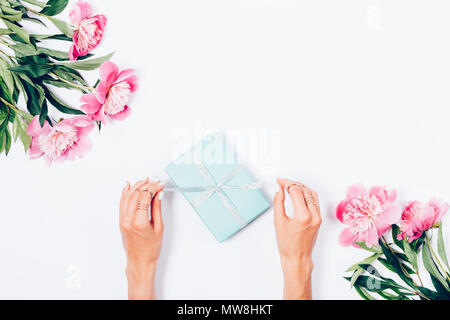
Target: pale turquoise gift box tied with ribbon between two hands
(217,187)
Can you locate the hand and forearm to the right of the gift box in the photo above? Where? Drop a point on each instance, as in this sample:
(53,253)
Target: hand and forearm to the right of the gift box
(296,237)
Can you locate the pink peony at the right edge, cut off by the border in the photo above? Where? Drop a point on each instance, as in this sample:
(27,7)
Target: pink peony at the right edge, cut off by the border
(418,218)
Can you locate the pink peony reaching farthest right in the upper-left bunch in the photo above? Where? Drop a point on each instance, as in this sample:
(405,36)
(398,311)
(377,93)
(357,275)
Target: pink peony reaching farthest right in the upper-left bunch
(110,102)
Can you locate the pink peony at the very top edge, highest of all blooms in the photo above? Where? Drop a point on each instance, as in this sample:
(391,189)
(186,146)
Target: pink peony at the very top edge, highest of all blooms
(89,30)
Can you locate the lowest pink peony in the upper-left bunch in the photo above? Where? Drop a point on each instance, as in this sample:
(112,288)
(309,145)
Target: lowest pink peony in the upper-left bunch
(67,140)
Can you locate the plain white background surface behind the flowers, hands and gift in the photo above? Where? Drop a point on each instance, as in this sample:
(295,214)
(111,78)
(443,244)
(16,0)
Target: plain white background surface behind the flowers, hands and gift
(356,91)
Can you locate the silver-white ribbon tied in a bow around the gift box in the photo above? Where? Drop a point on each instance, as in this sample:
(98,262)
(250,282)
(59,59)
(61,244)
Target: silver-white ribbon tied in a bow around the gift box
(219,189)
